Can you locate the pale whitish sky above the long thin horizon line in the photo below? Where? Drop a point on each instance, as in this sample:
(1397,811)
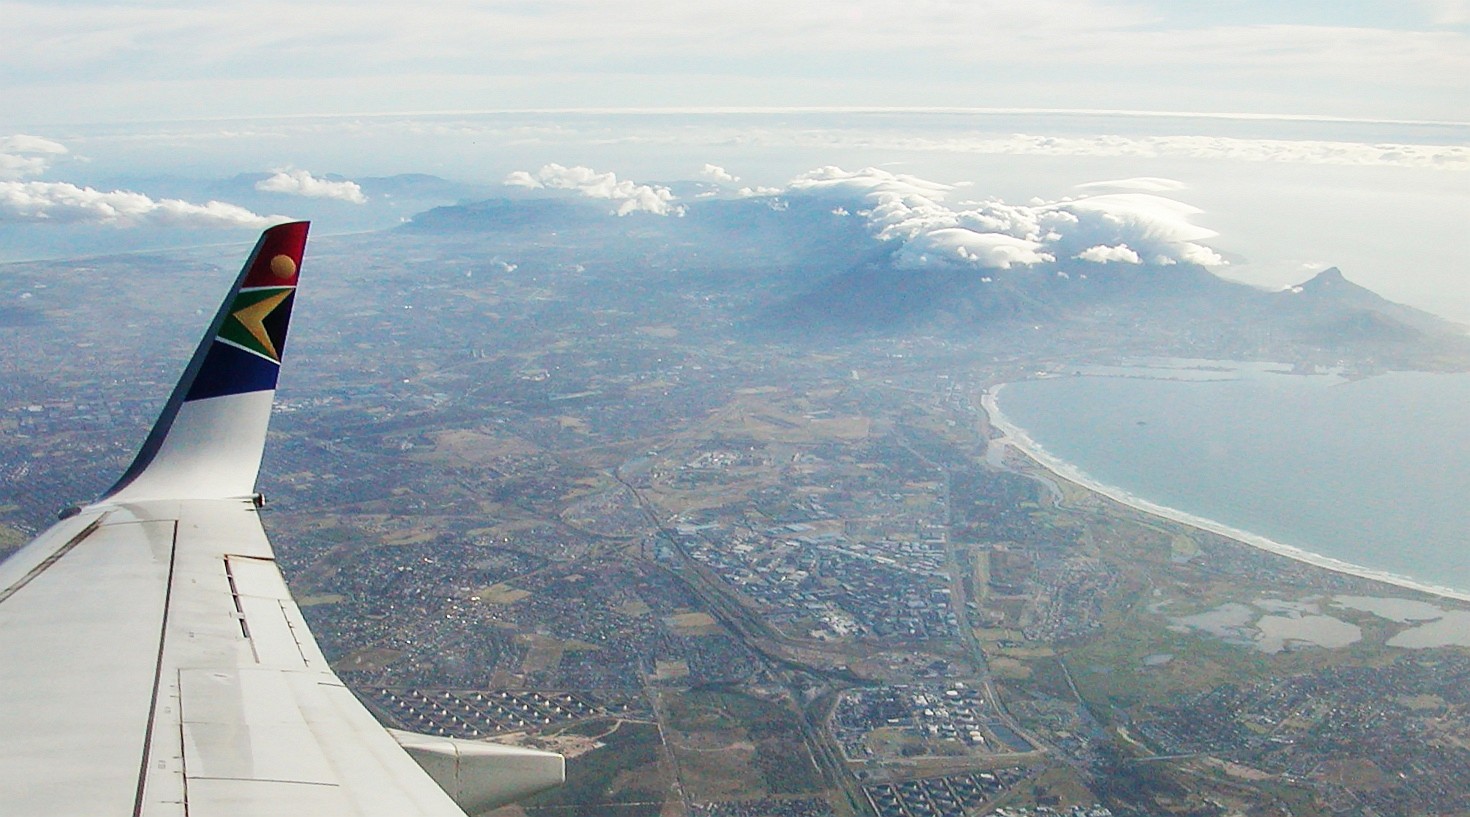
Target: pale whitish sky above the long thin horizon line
(87,61)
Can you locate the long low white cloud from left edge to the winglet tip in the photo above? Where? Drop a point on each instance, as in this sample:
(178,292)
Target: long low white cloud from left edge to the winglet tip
(67,204)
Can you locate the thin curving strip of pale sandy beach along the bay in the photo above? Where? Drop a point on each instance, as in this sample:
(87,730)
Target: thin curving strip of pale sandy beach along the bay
(1018,439)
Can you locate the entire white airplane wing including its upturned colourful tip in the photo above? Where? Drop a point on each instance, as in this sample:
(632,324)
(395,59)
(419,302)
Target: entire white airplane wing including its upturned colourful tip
(152,661)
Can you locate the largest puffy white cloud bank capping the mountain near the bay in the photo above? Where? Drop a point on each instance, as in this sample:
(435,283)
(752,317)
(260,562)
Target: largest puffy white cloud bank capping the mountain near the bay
(1106,228)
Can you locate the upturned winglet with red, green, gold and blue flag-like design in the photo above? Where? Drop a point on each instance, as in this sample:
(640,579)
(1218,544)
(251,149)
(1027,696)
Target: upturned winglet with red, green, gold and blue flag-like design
(208,442)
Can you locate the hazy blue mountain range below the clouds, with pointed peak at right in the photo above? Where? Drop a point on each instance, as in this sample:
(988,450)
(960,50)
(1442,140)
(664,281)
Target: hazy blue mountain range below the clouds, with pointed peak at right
(811,274)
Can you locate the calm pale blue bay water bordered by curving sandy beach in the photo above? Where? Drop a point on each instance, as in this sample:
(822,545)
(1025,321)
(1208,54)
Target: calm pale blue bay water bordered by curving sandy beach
(1374,472)
